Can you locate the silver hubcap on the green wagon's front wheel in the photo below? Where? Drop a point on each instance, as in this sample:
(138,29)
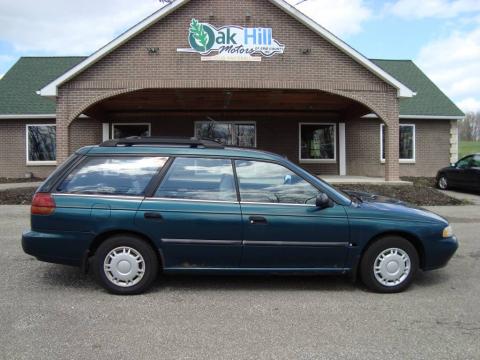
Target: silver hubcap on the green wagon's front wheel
(391,267)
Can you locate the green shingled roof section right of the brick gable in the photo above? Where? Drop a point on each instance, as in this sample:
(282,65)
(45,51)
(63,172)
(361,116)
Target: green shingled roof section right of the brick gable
(430,100)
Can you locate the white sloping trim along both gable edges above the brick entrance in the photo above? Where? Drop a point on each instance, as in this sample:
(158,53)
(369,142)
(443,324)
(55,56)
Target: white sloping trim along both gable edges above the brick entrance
(51,90)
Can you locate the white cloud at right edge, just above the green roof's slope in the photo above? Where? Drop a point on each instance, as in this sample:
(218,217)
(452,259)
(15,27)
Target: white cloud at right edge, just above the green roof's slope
(454,64)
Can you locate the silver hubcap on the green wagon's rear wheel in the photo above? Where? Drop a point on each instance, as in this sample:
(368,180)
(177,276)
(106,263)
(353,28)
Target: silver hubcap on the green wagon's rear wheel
(124,266)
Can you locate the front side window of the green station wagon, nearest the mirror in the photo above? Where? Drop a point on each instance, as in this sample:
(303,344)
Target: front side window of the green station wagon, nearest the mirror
(265,182)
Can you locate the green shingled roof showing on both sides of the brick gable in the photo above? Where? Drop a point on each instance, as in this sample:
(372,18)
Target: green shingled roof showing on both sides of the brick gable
(19,85)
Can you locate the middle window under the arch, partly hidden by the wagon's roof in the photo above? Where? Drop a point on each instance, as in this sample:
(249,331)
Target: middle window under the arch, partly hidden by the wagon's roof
(243,134)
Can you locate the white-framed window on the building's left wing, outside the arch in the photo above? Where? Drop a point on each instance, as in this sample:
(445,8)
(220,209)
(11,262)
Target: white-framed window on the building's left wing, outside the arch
(41,144)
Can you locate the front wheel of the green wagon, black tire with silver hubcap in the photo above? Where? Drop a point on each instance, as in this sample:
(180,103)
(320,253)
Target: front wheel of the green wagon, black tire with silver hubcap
(384,265)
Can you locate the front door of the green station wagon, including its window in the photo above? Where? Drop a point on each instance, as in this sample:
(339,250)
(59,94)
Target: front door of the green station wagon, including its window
(282,226)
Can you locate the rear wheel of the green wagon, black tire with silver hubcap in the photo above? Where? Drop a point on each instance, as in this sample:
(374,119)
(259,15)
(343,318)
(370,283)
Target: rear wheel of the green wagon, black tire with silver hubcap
(125,265)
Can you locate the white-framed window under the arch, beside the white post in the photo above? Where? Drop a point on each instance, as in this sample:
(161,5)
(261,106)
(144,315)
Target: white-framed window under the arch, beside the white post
(318,142)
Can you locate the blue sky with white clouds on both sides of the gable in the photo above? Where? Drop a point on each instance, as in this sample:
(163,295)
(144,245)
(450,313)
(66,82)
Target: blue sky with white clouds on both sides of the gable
(441,36)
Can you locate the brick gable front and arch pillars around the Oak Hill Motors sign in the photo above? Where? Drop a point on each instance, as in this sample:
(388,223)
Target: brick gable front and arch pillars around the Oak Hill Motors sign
(130,67)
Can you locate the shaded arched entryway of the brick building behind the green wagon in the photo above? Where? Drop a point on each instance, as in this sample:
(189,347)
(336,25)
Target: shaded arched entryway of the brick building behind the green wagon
(309,127)
